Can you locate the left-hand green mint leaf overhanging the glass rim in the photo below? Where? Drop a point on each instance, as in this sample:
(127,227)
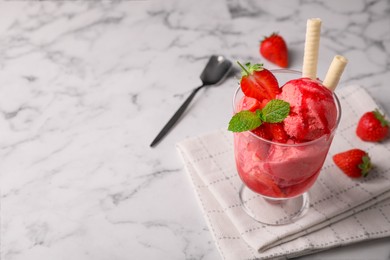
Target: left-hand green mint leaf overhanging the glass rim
(244,121)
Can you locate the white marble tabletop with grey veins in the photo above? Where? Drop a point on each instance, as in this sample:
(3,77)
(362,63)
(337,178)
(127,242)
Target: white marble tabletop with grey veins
(86,85)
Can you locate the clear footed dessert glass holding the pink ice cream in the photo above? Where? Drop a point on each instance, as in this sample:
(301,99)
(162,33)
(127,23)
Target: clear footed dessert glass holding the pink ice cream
(277,176)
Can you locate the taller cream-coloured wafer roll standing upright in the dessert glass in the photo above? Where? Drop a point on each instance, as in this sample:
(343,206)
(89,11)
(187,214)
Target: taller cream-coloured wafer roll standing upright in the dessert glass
(312,42)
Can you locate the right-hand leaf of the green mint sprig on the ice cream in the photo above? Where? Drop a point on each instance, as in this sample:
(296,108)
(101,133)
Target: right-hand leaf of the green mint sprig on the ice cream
(275,111)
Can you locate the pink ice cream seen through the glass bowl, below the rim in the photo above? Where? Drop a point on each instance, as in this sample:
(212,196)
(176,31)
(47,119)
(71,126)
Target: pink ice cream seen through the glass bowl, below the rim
(277,170)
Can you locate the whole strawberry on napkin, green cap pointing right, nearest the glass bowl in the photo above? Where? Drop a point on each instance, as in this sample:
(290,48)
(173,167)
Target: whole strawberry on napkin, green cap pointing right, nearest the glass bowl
(355,163)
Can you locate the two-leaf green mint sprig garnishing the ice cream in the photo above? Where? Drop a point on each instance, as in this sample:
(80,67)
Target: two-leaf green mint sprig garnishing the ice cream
(275,111)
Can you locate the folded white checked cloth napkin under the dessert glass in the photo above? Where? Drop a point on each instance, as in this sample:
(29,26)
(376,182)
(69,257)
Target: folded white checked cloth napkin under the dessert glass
(342,210)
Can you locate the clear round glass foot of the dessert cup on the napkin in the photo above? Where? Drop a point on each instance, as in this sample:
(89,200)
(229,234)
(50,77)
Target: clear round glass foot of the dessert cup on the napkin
(273,211)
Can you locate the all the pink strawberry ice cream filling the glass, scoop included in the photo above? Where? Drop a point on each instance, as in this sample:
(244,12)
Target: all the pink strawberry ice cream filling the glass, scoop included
(289,169)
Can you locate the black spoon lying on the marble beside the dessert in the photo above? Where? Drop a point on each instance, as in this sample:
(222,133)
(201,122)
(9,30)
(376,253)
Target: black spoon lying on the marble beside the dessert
(216,70)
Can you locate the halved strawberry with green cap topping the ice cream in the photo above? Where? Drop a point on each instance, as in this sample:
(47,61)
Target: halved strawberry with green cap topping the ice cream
(258,83)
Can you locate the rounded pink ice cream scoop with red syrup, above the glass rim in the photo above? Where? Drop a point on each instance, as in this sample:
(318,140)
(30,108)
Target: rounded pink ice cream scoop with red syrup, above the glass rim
(313,111)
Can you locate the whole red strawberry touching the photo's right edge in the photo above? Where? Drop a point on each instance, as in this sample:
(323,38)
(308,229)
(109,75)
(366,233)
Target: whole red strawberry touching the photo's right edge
(372,127)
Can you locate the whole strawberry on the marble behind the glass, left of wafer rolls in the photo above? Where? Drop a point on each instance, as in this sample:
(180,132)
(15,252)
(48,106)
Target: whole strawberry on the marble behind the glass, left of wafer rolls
(274,49)
